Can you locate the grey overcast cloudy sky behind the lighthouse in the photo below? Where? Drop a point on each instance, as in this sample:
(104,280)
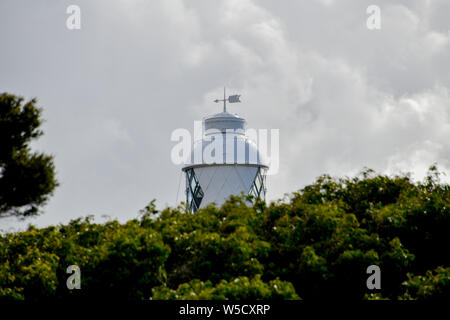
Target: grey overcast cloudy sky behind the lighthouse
(343,97)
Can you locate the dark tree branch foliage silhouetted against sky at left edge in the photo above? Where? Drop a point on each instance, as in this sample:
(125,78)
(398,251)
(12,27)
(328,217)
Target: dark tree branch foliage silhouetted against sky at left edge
(27,178)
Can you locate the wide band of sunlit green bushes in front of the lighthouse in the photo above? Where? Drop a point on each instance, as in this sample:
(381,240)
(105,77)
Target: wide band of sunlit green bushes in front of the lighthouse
(317,244)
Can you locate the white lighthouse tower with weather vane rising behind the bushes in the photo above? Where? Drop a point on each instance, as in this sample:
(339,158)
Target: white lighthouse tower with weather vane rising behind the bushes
(224,161)
